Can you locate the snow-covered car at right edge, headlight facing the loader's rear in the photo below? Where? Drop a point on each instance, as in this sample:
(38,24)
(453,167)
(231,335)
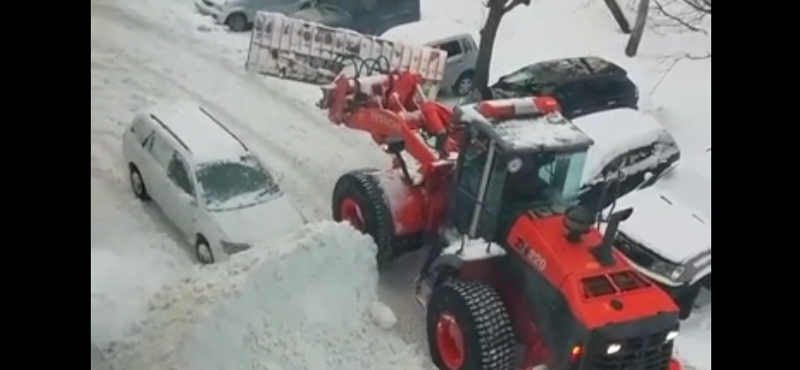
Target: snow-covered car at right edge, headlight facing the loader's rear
(668,236)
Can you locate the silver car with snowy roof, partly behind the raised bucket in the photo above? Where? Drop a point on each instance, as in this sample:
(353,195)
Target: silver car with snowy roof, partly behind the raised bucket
(457,41)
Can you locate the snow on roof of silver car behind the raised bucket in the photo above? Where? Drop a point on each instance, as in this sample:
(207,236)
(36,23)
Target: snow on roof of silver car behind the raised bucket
(427,31)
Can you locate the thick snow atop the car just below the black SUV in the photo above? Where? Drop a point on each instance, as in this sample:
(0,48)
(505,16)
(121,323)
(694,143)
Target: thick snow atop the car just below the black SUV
(616,132)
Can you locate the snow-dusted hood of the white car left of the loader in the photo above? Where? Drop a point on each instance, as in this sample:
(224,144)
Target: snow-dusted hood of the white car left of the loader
(259,223)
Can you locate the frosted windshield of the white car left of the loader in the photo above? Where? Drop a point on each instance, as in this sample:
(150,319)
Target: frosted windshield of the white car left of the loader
(230,185)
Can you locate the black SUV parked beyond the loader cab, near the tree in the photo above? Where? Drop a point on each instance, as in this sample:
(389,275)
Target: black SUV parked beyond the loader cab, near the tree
(582,85)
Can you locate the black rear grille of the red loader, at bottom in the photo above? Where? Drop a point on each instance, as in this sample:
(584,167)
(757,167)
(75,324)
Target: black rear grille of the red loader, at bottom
(650,352)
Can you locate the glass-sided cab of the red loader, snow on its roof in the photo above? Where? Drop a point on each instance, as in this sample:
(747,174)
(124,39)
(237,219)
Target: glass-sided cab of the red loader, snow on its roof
(512,164)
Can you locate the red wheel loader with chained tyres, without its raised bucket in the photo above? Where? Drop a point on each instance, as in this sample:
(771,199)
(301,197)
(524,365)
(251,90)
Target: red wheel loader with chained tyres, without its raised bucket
(517,275)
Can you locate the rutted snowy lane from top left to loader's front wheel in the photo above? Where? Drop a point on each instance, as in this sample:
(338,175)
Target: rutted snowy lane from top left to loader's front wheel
(310,171)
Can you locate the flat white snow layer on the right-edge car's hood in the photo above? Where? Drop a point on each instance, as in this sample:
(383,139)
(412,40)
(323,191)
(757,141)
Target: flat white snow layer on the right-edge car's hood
(665,225)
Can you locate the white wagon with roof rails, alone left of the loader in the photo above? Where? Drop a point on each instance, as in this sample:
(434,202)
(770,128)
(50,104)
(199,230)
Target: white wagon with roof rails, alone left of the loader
(205,180)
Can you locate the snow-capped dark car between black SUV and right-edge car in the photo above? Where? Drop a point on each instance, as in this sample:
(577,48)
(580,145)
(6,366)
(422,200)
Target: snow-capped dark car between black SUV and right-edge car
(629,147)
